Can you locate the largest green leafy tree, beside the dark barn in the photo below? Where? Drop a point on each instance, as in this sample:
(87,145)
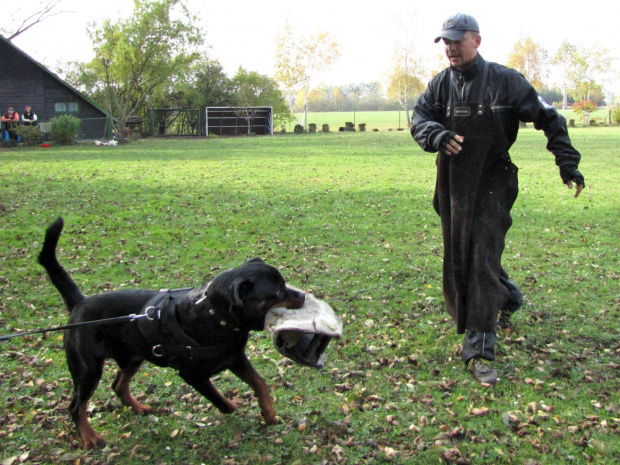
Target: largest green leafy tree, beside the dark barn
(135,56)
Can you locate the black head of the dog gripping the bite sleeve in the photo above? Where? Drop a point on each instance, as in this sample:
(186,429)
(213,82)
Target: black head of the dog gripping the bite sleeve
(250,291)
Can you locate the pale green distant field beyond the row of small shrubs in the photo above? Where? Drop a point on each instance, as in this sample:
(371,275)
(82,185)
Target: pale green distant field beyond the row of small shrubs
(386,120)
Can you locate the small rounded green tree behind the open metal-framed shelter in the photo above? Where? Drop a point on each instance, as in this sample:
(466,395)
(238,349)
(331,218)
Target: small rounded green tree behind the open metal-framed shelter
(252,89)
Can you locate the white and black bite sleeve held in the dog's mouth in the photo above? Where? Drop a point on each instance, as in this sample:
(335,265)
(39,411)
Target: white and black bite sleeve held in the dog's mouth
(303,334)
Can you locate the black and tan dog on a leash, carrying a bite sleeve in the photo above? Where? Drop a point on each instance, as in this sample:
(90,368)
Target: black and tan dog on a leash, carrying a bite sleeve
(200,332)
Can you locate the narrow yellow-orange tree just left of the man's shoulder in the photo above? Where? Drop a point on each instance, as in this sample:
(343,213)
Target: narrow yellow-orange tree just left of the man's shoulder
(405,78)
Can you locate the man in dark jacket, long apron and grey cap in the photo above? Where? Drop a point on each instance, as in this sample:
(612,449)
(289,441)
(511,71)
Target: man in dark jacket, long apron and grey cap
(470,114)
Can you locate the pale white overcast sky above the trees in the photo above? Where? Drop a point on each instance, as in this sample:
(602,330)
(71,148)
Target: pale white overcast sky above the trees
(242,32)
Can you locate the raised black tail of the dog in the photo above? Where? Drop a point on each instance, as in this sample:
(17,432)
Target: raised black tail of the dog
(69,291)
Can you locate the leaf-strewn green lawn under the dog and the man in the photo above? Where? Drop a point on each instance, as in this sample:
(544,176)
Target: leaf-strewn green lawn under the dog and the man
(347,216)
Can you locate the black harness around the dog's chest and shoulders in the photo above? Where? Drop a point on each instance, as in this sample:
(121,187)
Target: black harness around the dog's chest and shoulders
(171,345)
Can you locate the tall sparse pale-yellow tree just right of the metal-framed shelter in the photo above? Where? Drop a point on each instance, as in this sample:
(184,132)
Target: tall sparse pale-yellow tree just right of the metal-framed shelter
(298,61)
